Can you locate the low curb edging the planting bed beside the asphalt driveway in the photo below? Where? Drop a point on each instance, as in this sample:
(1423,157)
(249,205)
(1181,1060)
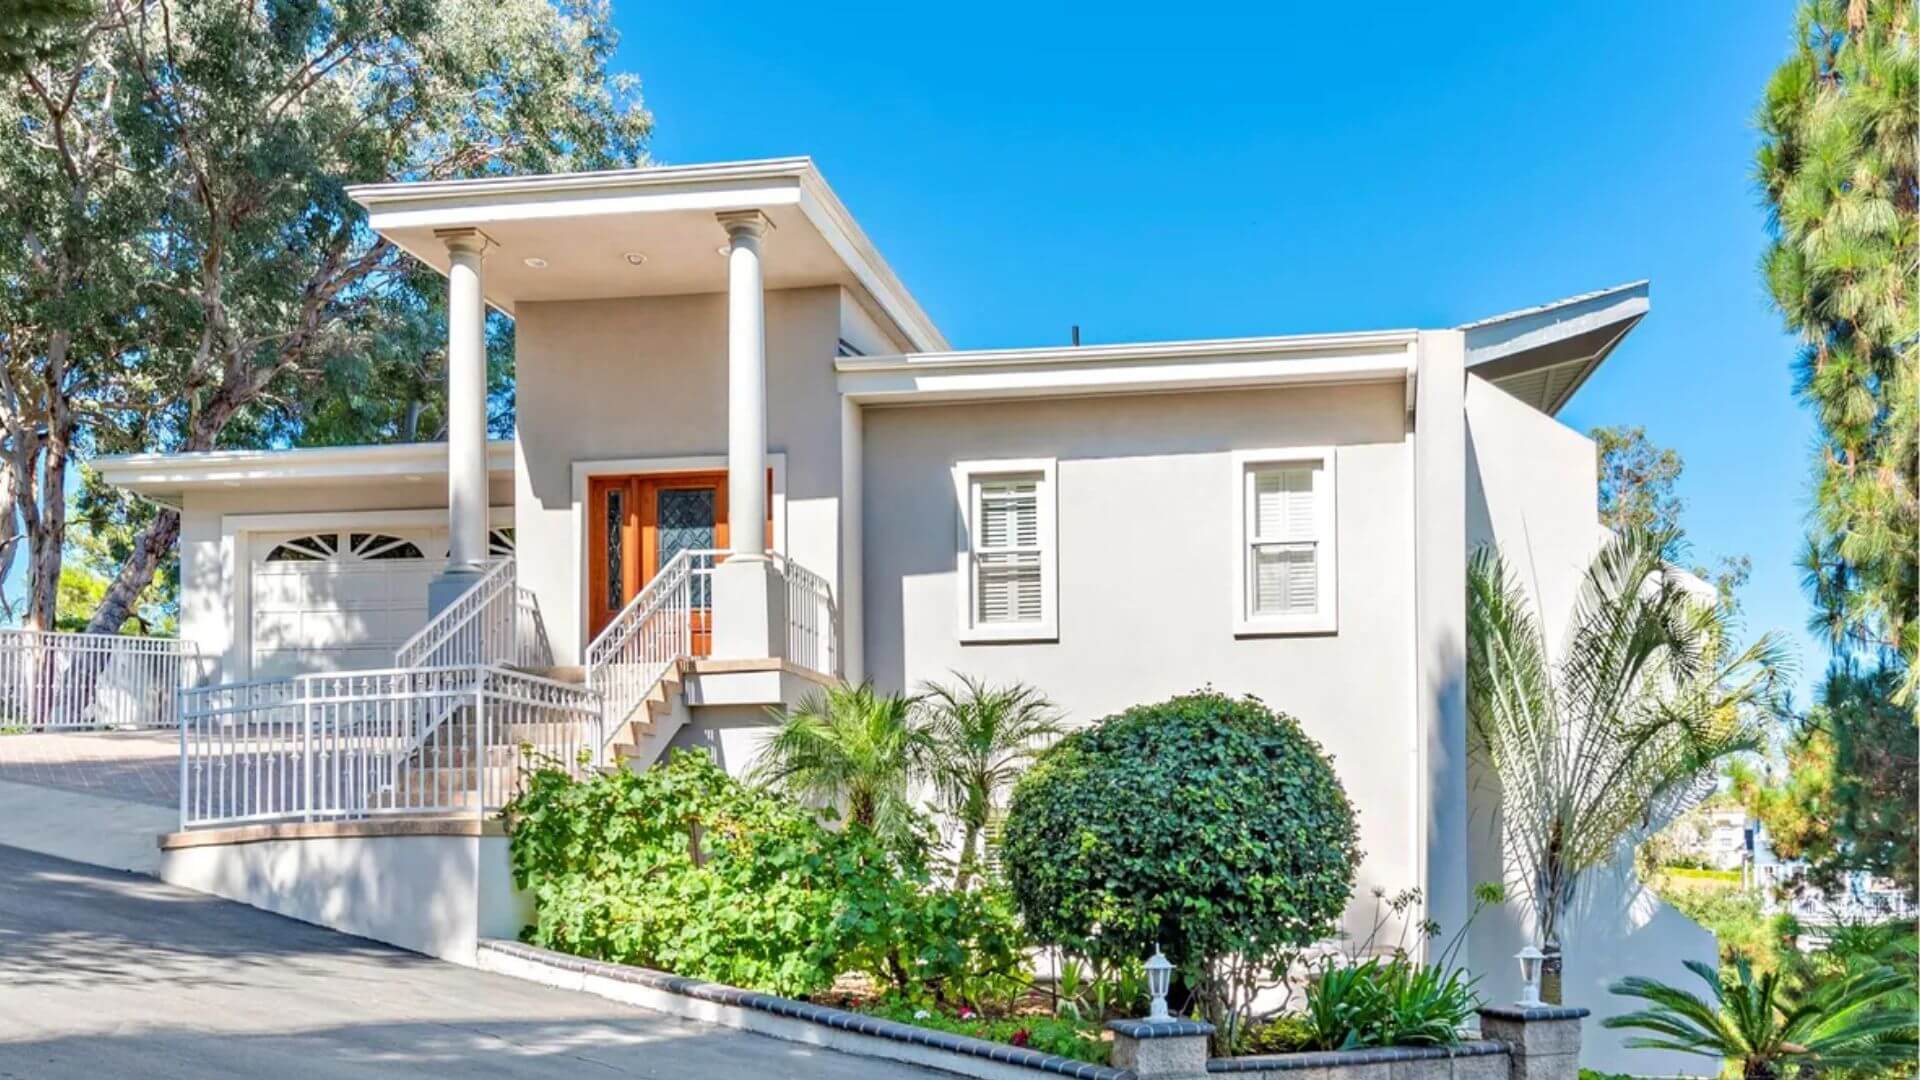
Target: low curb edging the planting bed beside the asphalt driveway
(782,1018)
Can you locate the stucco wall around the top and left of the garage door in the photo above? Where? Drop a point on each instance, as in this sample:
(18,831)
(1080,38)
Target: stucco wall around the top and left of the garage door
(214,562)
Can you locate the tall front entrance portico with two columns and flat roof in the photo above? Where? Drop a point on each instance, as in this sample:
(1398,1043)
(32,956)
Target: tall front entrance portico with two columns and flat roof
(663,316)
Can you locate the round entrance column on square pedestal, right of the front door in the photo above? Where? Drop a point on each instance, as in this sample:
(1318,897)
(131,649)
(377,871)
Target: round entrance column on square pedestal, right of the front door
(750,599)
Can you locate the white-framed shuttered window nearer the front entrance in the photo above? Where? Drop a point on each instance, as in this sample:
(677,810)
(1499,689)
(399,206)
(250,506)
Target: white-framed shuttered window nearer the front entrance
(1007,551)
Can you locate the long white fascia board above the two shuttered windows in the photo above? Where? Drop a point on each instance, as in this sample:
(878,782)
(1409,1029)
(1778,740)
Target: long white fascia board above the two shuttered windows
(1130,370)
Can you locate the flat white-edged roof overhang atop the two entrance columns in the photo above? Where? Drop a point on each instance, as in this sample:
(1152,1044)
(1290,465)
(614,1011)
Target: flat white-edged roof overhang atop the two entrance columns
(581,228)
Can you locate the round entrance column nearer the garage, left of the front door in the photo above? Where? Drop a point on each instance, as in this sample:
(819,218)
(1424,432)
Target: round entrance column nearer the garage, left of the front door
(468,479)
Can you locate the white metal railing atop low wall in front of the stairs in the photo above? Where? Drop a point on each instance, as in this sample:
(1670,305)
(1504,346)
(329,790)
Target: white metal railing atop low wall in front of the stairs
(350,745)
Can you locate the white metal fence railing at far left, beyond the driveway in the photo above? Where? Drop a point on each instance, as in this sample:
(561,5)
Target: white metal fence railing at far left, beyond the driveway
(82,681)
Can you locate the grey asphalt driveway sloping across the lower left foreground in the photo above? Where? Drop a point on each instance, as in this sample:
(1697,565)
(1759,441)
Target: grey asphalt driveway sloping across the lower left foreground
(118,975)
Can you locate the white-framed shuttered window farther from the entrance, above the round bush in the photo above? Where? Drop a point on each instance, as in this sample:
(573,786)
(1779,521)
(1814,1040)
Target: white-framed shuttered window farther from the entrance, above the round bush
(1285,543)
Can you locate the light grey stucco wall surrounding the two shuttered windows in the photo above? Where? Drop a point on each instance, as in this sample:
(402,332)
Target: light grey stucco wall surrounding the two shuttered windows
(1147,564)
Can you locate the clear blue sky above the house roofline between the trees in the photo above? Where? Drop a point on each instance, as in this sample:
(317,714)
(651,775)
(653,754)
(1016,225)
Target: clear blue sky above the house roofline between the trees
(1289,170)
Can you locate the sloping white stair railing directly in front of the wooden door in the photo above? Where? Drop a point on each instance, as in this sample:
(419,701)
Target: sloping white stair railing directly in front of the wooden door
(663,624)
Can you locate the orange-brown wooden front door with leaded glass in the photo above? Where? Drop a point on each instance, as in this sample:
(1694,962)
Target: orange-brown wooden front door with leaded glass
(638,526)
